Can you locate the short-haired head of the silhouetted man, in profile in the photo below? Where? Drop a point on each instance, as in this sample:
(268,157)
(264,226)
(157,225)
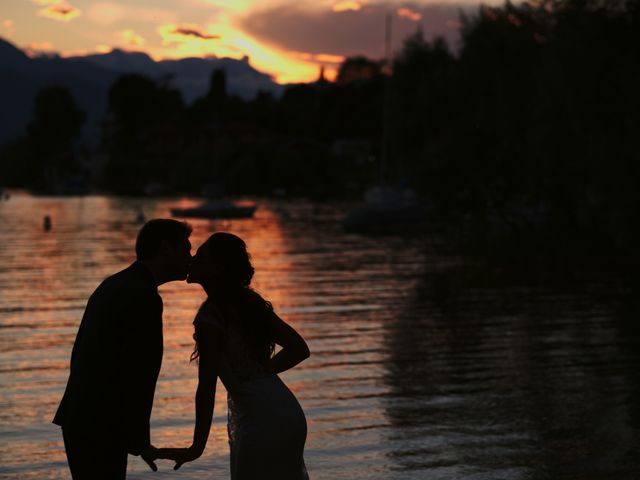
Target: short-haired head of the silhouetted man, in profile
(163,245)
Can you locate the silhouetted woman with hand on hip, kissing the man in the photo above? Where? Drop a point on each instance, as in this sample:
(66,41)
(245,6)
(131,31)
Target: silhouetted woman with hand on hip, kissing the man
(236,331)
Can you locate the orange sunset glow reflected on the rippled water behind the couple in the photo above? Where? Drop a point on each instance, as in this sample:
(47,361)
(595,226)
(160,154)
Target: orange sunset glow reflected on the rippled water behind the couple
(299,267)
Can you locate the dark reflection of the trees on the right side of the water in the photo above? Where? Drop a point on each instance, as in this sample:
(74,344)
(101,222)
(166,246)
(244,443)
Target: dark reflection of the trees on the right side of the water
(517,383)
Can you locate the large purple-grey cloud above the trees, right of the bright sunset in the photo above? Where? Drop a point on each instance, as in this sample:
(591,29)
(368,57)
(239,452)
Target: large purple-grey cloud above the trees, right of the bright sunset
(350,32)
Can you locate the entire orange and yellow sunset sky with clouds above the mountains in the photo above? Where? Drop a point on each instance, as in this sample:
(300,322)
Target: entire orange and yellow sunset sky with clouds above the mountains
(288,39)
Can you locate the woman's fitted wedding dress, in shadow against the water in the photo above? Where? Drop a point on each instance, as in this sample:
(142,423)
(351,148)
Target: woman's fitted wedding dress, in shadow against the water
(266,425)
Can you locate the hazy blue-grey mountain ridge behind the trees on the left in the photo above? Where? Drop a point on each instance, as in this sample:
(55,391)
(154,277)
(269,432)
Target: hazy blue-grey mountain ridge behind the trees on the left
(89,78)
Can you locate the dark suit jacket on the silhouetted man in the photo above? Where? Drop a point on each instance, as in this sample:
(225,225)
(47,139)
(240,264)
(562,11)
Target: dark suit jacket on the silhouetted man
(116,360)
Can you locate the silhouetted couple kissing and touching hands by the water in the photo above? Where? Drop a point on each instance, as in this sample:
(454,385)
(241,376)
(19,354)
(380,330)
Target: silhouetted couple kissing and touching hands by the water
(116,357)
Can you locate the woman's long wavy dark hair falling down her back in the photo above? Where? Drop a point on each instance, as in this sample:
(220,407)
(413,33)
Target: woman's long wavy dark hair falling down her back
(235,298)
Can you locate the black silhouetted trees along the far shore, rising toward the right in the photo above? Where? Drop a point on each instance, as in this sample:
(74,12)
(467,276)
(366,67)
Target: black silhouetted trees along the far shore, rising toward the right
(528,130)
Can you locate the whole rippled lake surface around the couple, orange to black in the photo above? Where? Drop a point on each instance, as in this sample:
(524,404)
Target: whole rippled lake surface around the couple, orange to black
(412,375)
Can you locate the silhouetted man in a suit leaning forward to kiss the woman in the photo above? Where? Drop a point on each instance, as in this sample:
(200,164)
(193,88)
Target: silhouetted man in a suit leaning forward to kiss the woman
(116,357)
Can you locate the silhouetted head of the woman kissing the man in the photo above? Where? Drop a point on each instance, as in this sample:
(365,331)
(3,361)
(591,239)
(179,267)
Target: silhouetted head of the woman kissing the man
(222,262)
